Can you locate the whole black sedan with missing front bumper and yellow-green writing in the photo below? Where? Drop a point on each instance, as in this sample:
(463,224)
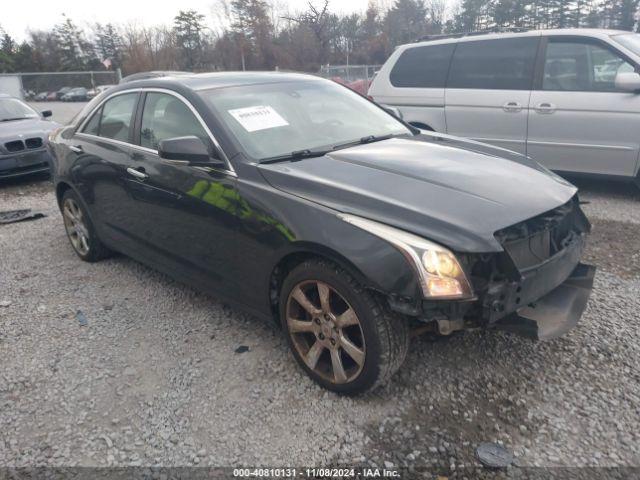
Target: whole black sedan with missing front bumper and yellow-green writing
(300,200)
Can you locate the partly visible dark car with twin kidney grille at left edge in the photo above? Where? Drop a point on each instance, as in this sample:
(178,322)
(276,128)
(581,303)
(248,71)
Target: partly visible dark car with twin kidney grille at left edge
(23,138)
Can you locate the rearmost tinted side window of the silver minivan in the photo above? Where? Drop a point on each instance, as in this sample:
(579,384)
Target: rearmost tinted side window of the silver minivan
(422,67)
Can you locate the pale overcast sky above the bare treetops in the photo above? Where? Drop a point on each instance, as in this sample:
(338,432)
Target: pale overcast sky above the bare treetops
(19,16)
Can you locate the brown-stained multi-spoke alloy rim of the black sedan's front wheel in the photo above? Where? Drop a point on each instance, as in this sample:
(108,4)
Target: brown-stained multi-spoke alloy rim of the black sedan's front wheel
(325,331)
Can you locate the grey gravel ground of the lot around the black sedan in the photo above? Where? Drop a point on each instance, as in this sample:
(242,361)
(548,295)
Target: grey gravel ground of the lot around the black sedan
(153,378)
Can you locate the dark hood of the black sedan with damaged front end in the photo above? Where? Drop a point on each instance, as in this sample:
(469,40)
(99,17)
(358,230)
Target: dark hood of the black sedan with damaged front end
(455,192)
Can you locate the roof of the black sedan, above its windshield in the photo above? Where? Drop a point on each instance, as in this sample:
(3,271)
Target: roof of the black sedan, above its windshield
(205,81)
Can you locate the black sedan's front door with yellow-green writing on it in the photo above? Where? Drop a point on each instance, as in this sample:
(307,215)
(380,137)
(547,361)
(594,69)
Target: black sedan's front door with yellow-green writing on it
(185,216)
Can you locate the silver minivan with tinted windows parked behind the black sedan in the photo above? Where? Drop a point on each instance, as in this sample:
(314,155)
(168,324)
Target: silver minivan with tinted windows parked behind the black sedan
(570,98)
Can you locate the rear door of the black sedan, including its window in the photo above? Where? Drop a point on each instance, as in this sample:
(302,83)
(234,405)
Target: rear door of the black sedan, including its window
(102,149)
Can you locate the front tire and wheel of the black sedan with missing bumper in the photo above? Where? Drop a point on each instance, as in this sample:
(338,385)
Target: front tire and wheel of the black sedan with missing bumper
(380,336)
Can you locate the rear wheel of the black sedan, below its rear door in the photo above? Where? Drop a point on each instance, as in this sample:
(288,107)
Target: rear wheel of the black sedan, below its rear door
(80,230)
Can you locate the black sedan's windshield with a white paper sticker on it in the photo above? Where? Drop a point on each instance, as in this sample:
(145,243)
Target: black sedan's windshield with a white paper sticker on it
(277,119)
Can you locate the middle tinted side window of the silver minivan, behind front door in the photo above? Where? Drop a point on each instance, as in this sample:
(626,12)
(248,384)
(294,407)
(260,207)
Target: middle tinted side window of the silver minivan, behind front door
(504,64)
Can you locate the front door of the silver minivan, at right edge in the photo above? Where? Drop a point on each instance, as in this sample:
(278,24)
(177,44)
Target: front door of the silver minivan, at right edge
(578,120)
